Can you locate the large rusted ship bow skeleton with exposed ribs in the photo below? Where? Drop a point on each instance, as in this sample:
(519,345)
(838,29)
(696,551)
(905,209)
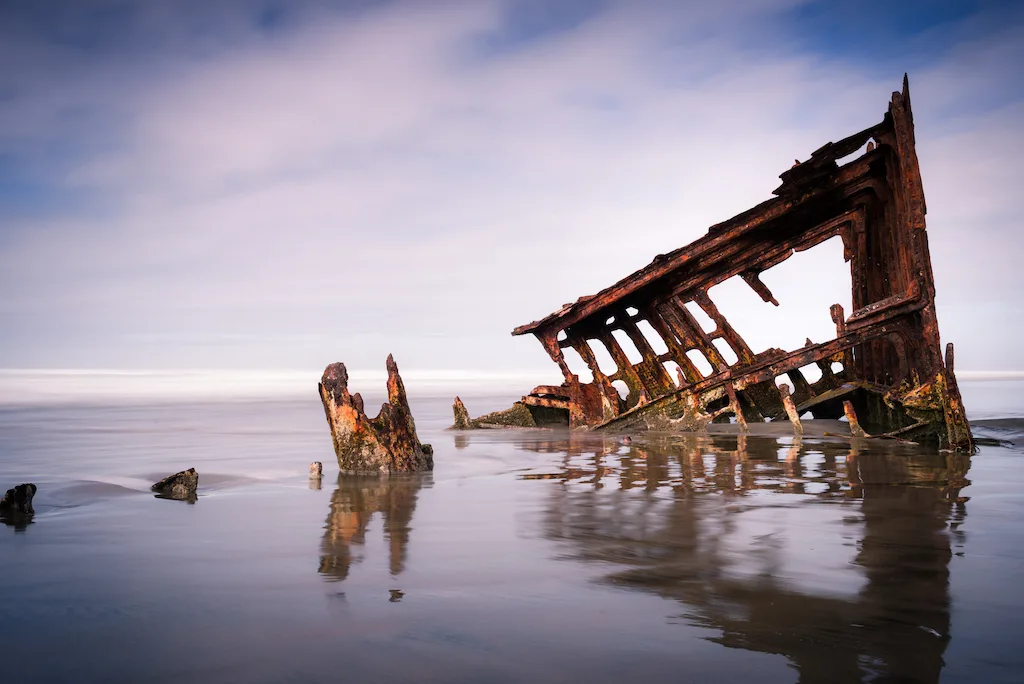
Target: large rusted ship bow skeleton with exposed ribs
(888,348)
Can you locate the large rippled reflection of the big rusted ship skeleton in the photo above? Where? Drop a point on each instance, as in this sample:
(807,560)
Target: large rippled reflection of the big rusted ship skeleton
(835,557)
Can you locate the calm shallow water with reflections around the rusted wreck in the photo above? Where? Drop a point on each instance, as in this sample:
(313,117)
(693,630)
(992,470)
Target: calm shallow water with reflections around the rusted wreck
(526,555)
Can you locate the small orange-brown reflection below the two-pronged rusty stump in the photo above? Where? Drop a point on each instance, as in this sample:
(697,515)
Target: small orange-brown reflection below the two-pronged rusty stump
(356,501)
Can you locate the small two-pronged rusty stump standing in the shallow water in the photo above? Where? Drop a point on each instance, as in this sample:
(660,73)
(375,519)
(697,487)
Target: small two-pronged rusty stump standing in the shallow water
(387,444)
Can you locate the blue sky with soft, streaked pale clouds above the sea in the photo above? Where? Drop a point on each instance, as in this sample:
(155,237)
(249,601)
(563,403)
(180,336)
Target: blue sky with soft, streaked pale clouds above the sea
(271,185)
